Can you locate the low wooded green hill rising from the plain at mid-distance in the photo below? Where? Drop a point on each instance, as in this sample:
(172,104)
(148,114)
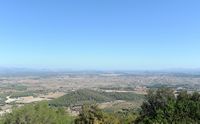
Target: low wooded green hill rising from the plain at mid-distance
(85,95)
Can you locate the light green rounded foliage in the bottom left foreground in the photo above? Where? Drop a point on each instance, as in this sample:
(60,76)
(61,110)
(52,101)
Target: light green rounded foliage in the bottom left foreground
(40,113)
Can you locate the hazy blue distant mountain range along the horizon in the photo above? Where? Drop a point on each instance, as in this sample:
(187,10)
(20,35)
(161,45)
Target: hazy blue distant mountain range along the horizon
(32,71)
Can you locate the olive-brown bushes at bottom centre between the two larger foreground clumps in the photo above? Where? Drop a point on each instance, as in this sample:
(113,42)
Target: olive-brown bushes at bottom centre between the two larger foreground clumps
(91,114)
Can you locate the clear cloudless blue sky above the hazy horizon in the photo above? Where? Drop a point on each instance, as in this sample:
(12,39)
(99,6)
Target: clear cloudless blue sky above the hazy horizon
(100,34)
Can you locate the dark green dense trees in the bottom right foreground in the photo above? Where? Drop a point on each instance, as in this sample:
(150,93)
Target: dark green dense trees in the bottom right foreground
(162,107)
